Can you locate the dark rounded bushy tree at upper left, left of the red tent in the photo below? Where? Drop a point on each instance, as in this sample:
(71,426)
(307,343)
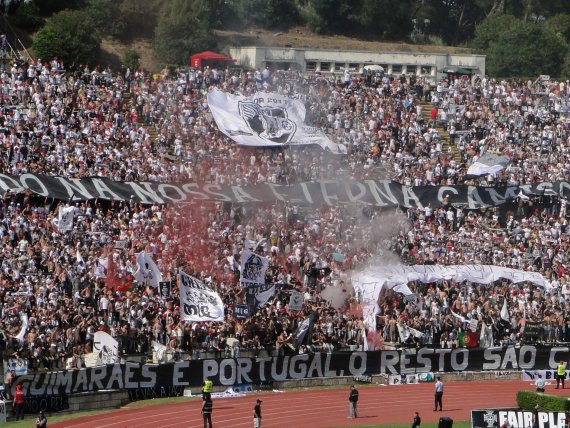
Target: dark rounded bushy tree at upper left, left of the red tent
(70,36)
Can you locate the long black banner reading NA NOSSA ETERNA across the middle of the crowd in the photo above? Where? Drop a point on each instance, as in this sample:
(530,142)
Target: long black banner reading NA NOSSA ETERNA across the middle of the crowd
(380,193)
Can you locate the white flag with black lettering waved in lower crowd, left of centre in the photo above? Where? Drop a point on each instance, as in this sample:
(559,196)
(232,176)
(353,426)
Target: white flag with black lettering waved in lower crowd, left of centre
(197,301)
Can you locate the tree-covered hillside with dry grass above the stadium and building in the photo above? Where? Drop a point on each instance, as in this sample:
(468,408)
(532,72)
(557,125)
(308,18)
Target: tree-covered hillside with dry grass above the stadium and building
(520,37)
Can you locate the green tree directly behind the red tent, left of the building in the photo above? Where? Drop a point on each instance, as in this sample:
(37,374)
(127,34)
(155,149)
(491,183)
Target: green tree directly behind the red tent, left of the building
(183,28)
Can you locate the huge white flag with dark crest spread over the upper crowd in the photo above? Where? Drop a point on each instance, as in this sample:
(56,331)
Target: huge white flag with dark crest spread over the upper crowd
(266,119)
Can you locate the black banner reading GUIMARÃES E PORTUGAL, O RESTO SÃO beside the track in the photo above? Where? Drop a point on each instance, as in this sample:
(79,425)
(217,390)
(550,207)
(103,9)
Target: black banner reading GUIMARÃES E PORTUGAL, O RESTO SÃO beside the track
(146,378)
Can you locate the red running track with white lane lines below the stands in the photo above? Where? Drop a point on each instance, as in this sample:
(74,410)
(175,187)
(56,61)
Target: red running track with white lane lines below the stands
(321,408)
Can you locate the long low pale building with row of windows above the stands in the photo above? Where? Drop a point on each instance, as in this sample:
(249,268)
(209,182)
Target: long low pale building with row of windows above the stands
(334,61)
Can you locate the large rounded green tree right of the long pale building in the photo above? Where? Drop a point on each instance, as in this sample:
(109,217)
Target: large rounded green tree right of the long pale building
(525,50)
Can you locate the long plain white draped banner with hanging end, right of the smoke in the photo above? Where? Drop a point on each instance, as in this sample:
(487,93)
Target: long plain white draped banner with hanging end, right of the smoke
(369,283)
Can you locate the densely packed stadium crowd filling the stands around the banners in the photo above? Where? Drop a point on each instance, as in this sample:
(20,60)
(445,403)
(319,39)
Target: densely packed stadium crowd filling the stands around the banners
(60,287)
